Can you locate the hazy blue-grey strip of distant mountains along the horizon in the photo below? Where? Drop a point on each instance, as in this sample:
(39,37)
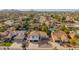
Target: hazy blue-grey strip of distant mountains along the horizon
(40,10)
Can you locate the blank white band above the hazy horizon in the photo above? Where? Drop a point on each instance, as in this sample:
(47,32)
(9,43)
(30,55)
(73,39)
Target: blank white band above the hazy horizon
(39,4)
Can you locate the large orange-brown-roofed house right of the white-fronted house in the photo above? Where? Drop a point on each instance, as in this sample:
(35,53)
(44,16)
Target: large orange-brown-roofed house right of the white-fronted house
(59,35)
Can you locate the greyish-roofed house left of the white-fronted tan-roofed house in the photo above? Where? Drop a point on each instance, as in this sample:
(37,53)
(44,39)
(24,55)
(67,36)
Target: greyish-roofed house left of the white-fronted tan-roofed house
(18,36)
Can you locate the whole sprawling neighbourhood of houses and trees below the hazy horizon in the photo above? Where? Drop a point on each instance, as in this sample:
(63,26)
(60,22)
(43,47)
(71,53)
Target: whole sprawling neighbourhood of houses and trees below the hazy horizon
(35,30)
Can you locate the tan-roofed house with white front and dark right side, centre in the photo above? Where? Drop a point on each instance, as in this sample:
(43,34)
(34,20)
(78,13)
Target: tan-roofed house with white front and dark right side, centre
(37,35)
